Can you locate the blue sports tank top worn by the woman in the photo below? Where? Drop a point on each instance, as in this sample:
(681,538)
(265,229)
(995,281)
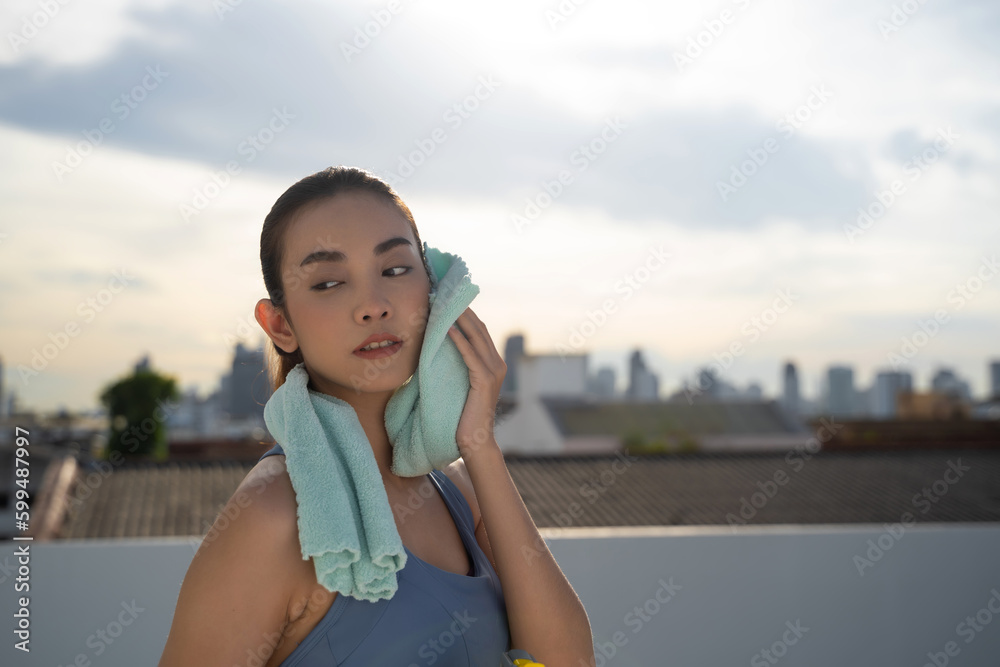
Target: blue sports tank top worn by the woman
(435,617)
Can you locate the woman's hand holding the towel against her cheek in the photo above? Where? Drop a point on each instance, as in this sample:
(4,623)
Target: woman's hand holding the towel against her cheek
(486,373)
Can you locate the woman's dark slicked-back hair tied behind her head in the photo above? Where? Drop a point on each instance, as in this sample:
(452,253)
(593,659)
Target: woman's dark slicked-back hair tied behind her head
(319,186)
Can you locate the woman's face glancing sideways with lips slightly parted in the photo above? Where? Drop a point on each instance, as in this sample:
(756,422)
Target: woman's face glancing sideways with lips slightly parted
(352,268)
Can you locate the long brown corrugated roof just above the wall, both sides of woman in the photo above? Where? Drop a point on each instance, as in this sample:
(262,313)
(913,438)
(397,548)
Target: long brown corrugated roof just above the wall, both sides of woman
(184,498)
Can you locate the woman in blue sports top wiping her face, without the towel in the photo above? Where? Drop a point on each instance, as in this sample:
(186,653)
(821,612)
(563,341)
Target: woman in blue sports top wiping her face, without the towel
(343,263)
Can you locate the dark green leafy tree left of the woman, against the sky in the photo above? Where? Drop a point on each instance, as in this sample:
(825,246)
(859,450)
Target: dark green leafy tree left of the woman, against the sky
(136,407)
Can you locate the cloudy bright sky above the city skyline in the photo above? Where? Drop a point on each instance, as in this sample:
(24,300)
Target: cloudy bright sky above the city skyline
(733,184)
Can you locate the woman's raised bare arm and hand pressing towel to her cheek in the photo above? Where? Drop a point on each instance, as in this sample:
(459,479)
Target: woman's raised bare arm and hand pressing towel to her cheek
(545,615)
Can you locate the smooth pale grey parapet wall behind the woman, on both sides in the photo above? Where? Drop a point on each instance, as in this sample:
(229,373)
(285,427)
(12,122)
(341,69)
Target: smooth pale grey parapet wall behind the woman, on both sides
(656,596)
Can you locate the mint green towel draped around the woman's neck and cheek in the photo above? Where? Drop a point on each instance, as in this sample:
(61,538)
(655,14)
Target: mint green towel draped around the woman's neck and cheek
(344,519)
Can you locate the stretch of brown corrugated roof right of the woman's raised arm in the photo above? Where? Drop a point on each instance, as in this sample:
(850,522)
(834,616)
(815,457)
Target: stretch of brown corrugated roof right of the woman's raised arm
(710,488)
